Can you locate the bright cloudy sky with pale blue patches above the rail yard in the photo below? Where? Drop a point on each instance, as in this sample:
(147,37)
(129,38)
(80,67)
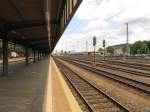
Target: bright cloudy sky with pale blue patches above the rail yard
(106,19)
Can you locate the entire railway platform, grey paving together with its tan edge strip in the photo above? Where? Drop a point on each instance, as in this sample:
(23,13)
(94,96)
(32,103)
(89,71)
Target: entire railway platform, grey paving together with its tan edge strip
(38,87)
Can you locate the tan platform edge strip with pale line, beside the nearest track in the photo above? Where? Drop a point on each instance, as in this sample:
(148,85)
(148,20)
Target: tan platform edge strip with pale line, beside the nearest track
(58,96)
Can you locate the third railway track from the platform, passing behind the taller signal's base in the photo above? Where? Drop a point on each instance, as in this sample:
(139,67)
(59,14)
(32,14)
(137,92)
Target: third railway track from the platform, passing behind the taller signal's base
(118,68)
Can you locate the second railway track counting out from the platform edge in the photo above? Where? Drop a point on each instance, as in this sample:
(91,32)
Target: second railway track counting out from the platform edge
(140,86)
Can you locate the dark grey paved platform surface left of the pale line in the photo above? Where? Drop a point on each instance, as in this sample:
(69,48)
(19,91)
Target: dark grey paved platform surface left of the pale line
(23,90)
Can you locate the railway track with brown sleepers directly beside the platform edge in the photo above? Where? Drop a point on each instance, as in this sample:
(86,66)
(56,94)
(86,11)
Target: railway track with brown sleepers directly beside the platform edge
(95,99)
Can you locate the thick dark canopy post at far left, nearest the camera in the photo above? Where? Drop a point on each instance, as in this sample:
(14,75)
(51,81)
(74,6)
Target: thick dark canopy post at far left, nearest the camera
(5,57)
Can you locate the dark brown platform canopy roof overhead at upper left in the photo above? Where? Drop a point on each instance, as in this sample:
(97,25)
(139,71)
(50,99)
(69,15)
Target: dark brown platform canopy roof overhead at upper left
(37,24)
